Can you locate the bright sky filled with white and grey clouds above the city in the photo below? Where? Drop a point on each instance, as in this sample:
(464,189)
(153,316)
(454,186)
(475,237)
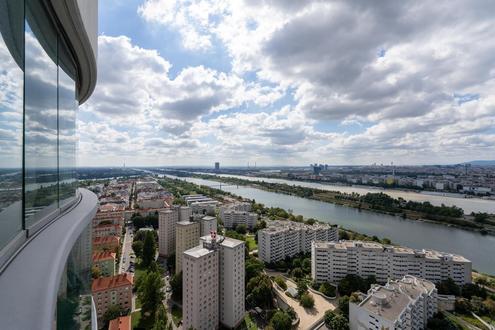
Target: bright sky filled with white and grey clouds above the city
(281,82)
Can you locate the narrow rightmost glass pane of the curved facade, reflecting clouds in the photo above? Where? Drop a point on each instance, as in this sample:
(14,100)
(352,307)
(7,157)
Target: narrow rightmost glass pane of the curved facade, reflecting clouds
(67,106)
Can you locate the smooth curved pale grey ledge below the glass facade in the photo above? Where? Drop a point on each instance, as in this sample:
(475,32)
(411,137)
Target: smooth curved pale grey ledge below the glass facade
(30,283)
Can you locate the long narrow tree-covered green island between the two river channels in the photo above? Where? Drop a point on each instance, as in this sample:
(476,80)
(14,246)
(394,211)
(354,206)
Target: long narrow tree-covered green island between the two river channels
(375,202)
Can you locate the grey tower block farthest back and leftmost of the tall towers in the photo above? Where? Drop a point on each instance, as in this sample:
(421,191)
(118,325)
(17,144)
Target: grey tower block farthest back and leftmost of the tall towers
(167,221)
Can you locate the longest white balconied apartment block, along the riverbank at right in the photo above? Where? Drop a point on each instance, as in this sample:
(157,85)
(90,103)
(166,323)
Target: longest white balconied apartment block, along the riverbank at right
(332,261)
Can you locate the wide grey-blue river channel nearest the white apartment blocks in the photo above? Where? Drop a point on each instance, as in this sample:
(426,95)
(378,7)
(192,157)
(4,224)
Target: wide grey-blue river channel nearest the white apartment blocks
(474,246)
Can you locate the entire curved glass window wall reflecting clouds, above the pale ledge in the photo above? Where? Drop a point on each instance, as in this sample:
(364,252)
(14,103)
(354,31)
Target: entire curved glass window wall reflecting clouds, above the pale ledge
(38,106)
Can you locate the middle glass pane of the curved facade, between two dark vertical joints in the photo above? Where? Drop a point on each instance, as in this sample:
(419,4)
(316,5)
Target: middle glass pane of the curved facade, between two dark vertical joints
(41,124)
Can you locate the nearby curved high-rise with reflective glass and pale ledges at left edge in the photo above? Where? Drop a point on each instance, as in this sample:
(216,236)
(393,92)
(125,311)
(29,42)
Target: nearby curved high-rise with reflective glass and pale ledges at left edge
(48,67)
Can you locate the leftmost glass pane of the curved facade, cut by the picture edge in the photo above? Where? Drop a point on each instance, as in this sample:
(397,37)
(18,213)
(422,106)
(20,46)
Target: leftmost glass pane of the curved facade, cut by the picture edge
(11,110)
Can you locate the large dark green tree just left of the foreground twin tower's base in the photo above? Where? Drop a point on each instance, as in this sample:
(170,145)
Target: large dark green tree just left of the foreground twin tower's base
(150,293)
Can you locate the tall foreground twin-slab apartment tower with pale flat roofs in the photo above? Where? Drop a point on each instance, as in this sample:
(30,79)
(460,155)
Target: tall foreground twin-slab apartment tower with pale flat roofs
(224,283)
